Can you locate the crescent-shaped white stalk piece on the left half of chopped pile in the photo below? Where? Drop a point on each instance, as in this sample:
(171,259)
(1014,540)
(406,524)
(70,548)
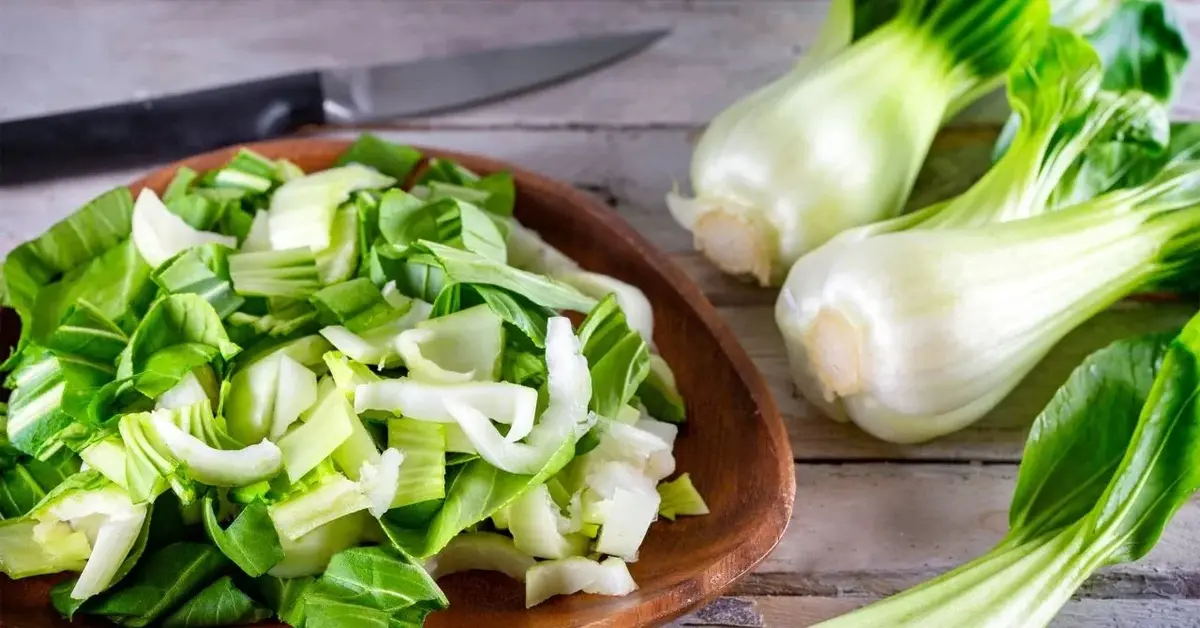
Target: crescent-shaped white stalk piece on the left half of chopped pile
(220,468)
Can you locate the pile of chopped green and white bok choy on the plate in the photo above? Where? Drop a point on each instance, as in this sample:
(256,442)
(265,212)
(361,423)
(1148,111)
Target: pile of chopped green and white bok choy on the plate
(269,393)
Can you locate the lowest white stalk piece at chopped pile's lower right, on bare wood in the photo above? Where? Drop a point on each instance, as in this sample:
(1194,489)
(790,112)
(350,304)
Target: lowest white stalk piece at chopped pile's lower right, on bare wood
(572,576)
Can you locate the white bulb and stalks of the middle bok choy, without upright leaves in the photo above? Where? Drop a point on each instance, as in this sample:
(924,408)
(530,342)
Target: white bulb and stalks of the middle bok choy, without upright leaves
(917,334)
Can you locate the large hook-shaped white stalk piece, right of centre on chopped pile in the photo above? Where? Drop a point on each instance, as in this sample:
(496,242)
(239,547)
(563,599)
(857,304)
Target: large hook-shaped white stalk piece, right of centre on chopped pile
(566,420)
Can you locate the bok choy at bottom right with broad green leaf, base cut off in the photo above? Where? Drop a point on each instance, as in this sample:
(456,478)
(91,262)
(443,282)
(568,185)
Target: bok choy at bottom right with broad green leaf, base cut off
(1108,464)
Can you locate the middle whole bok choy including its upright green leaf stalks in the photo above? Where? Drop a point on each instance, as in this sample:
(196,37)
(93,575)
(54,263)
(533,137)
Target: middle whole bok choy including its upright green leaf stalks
(916,327)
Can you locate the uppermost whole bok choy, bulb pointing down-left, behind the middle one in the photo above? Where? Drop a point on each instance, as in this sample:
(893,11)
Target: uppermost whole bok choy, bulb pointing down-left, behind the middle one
(820,152)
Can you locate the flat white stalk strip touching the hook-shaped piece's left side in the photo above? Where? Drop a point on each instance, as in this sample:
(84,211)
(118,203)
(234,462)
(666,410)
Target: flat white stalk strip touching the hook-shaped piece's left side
(501,402)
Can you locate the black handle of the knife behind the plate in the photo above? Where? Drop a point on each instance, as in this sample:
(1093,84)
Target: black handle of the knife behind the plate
(158,130)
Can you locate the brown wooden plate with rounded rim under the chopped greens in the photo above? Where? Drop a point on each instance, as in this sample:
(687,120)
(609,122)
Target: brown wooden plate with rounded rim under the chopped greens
(734,446)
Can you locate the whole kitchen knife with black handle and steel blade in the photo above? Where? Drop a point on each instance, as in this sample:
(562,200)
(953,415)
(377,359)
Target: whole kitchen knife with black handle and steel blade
(173,127)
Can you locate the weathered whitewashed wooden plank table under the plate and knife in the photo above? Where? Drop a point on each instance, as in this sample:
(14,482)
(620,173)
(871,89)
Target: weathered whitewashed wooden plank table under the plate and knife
(871,518)
